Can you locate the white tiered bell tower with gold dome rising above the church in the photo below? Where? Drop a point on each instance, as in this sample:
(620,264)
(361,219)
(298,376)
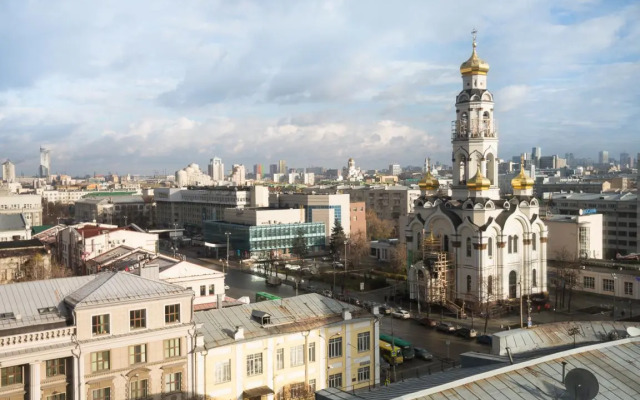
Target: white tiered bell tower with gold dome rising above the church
(474,137)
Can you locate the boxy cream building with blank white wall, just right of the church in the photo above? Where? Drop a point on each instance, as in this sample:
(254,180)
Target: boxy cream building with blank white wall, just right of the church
(574,237)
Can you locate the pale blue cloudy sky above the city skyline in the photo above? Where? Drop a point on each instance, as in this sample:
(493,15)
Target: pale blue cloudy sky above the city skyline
(146,87)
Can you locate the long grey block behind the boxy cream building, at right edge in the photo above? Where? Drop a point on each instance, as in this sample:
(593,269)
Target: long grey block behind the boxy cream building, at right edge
(620,217)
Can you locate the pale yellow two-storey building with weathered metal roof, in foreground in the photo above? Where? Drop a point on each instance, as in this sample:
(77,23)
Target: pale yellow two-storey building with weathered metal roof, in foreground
(286,349)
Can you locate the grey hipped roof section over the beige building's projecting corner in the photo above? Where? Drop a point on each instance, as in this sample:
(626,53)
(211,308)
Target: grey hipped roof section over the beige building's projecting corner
(110,287)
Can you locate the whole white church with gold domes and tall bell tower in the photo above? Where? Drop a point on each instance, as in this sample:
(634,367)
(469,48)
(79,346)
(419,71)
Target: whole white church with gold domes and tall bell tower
(470,244)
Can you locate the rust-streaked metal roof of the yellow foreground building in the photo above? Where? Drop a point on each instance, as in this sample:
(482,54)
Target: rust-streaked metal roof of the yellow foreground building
(292,314)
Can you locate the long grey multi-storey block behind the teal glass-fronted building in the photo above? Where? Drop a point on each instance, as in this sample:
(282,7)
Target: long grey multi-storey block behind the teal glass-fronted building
(186,207)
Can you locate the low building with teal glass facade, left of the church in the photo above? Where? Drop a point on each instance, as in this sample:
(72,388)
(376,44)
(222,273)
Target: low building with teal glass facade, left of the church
(247,240)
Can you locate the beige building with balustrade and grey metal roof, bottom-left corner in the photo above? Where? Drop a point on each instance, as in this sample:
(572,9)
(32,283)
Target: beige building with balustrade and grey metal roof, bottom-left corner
(111,336)
